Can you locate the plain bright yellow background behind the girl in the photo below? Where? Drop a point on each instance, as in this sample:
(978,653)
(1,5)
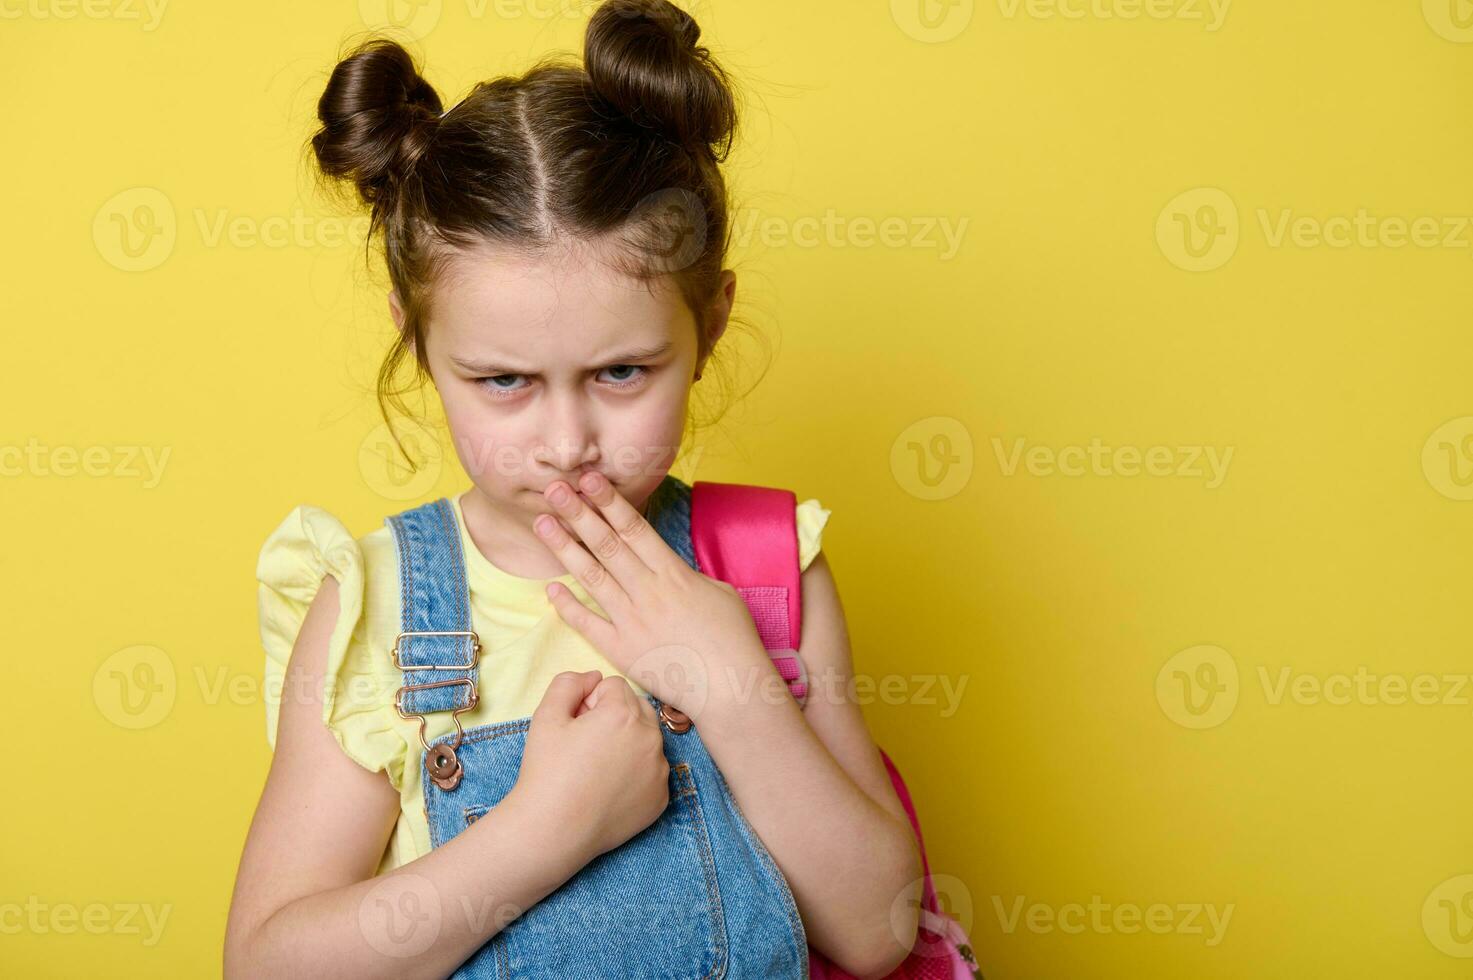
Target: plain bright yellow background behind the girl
(1338,377)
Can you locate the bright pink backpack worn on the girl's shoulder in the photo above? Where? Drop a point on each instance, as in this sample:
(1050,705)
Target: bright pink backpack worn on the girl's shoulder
(748,537)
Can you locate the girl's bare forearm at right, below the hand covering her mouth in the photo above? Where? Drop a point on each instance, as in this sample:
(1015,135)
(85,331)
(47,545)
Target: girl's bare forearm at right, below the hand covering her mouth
(848,860)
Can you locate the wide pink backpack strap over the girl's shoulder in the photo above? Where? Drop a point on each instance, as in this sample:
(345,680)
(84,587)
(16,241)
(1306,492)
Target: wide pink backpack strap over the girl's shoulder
(749,539)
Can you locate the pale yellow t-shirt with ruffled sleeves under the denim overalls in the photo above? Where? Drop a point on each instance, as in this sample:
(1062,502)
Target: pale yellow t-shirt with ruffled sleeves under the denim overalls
(525,645)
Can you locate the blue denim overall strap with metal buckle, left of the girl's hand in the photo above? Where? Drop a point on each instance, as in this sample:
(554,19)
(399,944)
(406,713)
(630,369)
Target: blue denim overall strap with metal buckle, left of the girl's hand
(437,649)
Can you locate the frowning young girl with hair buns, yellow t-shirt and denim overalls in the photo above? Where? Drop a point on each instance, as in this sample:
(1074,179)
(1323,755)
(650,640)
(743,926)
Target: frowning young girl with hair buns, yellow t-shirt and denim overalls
(590,776)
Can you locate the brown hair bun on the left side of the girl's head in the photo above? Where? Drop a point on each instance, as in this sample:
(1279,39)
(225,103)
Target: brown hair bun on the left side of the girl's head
(378,116)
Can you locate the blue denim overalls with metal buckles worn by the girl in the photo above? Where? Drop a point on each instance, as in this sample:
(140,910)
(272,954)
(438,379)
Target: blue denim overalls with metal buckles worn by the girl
(696,895)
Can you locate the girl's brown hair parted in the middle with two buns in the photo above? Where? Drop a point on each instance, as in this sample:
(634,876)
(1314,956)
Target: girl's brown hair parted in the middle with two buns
(624,150)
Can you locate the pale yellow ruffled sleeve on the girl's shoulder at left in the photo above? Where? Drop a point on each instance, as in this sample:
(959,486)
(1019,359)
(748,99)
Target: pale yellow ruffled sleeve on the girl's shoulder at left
(357,708)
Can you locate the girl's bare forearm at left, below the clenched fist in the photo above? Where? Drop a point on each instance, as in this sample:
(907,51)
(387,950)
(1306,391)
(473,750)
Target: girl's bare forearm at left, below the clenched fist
(426,917)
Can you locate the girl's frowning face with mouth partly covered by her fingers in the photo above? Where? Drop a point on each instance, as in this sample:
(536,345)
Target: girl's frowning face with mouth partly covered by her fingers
(559,365)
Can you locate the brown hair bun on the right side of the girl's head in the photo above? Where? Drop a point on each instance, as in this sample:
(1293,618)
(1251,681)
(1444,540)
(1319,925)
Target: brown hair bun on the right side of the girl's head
(643,60)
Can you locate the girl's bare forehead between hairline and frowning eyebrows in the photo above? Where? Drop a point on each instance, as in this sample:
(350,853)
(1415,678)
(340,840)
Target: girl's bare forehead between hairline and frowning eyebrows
(509,301)
